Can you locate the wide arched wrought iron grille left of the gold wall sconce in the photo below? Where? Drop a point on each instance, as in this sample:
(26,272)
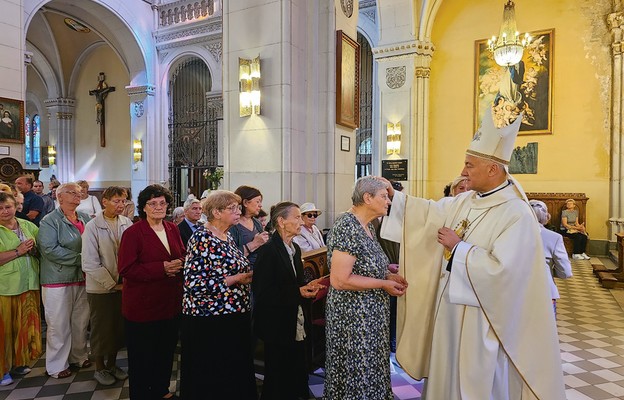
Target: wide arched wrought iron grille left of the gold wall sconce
(193,132)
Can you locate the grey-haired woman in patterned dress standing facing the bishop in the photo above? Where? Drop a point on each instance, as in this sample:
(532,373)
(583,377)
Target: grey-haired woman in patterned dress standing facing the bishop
(358,302)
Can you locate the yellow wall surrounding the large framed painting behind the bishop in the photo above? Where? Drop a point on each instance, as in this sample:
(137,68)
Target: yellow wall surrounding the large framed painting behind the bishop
(575,158)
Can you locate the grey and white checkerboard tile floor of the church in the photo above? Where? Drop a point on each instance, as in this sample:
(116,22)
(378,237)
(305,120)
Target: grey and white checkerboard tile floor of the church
(591,334)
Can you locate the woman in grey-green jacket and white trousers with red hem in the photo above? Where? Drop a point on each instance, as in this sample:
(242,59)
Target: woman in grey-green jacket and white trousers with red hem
(63,283)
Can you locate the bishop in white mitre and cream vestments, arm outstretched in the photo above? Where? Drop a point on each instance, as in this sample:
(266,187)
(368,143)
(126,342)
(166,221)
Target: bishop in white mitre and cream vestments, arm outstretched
(477,320)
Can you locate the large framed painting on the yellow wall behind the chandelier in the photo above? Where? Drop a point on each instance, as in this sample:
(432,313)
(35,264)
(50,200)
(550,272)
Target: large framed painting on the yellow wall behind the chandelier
(525,87)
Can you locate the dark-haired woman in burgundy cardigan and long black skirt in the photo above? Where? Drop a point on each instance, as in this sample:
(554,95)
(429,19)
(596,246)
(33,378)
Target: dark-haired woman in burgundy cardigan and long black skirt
(150,262)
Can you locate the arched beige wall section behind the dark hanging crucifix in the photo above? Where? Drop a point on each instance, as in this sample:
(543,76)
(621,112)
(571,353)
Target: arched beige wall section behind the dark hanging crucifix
(103,166)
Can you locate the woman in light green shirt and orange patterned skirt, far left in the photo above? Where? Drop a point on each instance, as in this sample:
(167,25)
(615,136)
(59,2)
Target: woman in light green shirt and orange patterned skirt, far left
(20,327)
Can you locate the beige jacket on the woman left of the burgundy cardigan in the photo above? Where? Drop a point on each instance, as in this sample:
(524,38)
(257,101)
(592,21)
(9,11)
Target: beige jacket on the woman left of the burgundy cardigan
(99,253)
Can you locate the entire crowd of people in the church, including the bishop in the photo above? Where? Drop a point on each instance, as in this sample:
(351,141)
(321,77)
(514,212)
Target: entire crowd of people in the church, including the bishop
(215,274)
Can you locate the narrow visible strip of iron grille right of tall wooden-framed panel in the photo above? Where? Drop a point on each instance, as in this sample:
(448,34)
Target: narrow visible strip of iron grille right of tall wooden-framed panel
(364,135)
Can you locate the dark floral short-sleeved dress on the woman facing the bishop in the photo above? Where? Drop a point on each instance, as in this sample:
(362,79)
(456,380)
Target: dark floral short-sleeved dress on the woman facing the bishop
(357,322)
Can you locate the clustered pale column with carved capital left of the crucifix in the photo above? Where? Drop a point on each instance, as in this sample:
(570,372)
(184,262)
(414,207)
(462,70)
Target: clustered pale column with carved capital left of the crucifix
(62,135)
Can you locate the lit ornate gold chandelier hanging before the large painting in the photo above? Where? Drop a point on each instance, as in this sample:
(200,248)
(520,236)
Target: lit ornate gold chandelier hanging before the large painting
(508,47)
